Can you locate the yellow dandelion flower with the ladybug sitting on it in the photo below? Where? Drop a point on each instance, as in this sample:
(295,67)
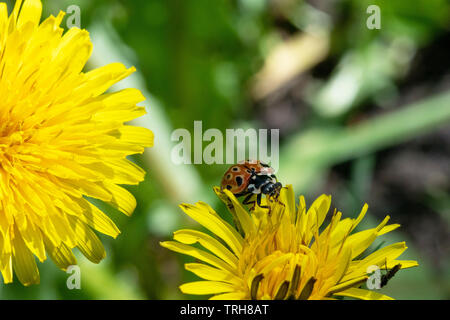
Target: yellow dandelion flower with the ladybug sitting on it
(282,252)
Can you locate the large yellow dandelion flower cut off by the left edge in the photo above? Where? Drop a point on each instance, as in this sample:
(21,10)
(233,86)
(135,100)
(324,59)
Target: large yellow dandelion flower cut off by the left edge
(61,140)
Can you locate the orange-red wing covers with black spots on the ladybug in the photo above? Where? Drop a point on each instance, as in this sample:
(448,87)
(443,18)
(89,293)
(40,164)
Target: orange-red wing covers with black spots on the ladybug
(237,177)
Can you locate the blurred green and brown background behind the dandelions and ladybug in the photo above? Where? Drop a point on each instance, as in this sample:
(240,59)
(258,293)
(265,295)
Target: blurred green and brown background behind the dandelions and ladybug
(364,115)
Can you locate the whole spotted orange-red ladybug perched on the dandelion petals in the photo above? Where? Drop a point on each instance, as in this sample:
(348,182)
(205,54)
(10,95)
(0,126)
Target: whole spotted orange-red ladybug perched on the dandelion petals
(248,178)
